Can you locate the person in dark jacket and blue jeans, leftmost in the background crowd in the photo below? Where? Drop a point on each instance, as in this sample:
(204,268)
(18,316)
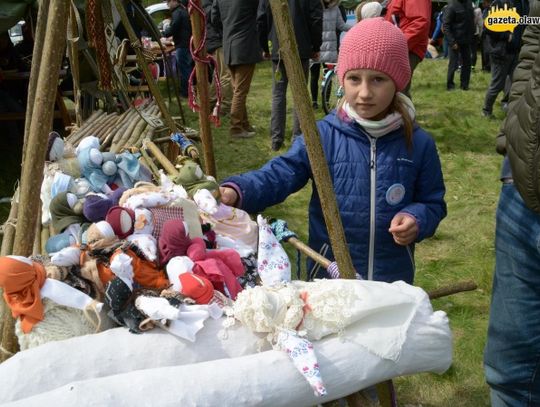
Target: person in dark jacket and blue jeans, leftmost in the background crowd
(180,30)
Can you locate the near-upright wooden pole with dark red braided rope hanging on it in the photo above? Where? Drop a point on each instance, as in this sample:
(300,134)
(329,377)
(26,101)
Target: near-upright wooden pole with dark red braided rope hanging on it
(201,70)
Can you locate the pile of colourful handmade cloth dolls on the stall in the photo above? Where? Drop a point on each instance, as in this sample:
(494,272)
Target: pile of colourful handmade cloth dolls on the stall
(148,252)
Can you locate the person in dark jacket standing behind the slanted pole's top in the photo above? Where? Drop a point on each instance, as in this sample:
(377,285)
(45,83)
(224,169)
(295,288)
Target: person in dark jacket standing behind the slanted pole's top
(307,20)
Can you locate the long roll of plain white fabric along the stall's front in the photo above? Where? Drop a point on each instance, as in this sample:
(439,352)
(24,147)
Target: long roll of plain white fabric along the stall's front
(158,369)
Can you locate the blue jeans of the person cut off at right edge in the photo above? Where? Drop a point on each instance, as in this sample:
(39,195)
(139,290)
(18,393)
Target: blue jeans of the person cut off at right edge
(512,354)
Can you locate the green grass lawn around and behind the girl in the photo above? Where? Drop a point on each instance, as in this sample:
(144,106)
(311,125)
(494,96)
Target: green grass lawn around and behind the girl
(462,249)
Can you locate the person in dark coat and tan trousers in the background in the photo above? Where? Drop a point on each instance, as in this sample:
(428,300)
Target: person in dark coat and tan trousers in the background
(238,21)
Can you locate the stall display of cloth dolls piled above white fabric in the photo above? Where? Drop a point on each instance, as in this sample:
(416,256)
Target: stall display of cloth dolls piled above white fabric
(204,283)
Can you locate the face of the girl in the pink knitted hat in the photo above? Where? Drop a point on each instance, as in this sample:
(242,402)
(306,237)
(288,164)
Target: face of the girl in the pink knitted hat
(369,93)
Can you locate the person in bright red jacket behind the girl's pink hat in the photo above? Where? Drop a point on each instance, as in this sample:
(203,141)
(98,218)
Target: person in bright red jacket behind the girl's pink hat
(413,17)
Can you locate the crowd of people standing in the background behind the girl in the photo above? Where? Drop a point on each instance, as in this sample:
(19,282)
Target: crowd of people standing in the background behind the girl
(241,33)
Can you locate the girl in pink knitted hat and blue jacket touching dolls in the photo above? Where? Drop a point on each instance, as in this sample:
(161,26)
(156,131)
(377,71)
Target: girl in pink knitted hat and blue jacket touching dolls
(385,169)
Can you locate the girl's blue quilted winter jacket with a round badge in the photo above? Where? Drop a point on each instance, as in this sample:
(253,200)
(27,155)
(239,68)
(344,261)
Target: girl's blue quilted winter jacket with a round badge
(363,170)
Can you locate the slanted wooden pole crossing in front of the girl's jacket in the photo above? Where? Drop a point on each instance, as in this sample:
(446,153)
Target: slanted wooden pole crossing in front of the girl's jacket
(319,167)
